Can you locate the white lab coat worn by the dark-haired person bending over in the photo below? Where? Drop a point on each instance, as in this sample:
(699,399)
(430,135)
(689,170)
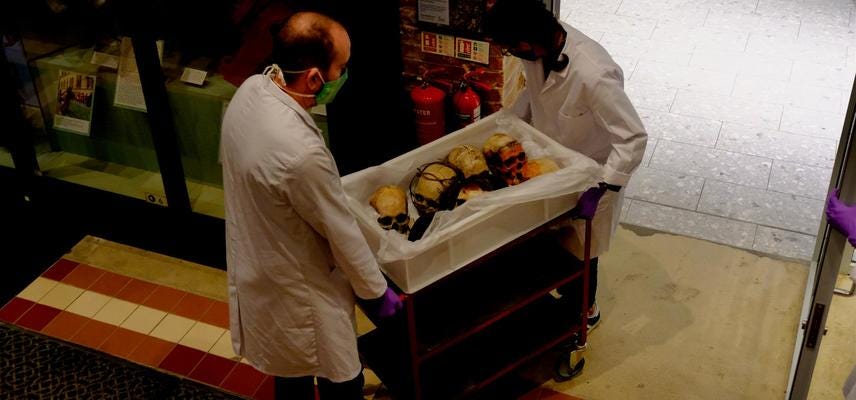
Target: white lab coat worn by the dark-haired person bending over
(585,108)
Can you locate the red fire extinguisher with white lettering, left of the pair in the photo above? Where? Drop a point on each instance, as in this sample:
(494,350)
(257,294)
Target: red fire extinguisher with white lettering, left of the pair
(429,106)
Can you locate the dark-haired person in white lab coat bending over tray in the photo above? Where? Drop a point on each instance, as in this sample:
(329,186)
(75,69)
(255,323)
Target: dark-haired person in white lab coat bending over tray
(575,94)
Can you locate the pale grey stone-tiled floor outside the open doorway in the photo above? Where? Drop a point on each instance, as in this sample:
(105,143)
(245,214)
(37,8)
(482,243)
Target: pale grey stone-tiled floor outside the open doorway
(744,101)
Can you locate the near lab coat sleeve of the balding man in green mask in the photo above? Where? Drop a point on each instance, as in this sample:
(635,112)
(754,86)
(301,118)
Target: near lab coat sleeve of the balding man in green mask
(315,190)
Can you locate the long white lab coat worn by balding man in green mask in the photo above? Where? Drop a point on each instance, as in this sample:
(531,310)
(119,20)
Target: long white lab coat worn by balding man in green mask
(295,255)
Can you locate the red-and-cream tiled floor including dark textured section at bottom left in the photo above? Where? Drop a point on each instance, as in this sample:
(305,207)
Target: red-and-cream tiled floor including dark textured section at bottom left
(174,340)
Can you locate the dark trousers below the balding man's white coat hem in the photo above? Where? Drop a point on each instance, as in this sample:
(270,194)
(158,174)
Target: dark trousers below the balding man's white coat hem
(303,388)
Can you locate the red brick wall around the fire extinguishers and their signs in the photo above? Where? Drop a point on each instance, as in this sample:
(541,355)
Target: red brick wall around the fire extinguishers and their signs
(416,62)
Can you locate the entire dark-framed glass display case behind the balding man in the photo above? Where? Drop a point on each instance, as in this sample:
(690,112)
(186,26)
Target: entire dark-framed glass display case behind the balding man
(104,112)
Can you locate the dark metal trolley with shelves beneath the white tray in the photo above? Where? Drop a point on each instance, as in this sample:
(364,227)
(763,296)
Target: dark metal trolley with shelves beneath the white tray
(473,327)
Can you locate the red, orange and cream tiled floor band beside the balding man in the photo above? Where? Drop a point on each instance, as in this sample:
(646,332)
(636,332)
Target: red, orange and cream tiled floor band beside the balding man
(148,323)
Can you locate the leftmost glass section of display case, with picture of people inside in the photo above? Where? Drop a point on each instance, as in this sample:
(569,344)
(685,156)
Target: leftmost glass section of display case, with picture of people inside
(65,57)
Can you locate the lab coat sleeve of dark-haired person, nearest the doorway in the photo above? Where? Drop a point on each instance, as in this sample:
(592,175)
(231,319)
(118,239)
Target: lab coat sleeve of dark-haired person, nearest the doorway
(613,111)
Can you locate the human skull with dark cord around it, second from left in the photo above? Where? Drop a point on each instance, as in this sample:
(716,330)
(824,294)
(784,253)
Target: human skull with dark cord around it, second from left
(429,187)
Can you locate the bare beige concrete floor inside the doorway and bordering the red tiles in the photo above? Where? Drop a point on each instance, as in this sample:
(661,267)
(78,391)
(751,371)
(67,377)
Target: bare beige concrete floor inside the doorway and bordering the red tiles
(683,318)
